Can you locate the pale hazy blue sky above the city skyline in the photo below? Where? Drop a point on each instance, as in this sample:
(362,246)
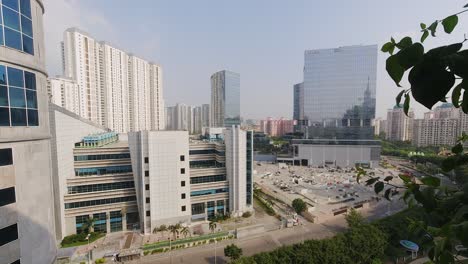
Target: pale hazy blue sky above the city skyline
(263,40)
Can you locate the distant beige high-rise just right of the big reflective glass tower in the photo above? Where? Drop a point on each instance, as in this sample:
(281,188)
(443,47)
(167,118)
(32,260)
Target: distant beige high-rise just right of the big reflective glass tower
(399,126)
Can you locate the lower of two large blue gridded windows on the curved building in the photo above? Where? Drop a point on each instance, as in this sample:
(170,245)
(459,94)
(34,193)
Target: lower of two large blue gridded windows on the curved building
(18,98)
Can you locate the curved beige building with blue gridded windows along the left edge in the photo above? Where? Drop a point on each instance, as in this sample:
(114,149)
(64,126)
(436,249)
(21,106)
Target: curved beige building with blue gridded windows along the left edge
(27,232)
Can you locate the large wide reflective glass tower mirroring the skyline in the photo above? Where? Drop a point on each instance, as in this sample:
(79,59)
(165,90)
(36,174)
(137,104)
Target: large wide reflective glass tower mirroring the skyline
(339,92)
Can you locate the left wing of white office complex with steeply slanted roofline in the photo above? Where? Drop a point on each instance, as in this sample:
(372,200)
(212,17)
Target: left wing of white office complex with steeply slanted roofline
(93,179)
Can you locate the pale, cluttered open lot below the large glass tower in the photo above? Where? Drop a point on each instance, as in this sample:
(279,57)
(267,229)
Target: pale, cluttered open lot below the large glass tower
(327,191)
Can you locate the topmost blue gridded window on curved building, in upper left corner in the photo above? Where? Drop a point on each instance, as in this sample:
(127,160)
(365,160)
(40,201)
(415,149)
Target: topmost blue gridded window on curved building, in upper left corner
(17,25)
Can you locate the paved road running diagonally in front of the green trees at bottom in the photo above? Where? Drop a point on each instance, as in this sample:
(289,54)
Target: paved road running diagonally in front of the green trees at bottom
(265,242)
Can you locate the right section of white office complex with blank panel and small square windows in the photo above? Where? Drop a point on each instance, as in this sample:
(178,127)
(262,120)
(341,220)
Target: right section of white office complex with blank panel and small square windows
(181,181)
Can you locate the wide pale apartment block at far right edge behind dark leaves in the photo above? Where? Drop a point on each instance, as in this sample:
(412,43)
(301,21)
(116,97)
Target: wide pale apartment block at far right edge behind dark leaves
(440,127)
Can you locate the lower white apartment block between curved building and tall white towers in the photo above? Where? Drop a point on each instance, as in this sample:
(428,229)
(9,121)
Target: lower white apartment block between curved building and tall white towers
(64,92)
